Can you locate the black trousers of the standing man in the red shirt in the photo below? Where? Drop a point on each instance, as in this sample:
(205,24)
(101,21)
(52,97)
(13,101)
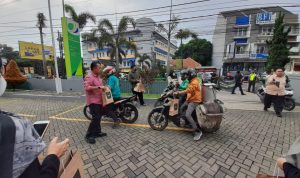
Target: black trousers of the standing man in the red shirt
(94,127)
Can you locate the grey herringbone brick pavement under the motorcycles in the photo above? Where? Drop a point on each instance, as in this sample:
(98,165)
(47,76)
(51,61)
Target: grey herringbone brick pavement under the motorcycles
(248,142)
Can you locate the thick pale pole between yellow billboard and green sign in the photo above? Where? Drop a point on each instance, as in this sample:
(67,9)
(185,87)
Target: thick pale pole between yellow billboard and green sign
(57,79)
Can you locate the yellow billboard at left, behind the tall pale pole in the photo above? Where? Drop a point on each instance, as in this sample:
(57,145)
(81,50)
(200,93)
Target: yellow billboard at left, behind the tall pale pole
(33,51)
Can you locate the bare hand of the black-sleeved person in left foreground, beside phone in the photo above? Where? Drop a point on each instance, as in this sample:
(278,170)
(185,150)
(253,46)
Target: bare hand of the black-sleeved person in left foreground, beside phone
(58,148)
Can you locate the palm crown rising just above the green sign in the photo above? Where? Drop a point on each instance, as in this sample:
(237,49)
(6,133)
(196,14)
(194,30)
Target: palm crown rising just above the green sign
(81,18)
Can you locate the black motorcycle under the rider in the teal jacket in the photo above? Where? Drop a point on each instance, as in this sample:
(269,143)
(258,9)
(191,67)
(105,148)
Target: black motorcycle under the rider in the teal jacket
(125,110)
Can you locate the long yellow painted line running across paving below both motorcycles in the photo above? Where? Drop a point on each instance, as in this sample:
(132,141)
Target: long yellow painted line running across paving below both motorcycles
(131,125)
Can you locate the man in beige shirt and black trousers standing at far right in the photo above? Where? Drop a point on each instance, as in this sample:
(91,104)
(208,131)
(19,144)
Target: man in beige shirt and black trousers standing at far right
(275,91)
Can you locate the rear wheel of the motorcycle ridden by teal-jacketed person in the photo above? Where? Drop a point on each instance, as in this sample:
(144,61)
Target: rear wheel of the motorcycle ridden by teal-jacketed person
(129,113)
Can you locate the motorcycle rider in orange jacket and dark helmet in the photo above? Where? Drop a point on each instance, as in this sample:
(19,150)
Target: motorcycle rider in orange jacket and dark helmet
(194,98)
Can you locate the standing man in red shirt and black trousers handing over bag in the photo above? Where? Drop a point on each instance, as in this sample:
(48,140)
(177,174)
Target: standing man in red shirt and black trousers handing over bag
(93,89)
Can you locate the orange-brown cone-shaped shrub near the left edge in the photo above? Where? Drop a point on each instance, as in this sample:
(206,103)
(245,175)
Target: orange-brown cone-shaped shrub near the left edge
(13,74)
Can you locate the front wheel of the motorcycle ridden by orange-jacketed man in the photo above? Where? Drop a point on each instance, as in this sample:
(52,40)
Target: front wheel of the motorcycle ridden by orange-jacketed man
(157,120)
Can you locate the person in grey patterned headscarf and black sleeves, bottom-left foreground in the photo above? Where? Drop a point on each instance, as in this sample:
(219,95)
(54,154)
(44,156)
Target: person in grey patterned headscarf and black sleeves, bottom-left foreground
(20,146)
